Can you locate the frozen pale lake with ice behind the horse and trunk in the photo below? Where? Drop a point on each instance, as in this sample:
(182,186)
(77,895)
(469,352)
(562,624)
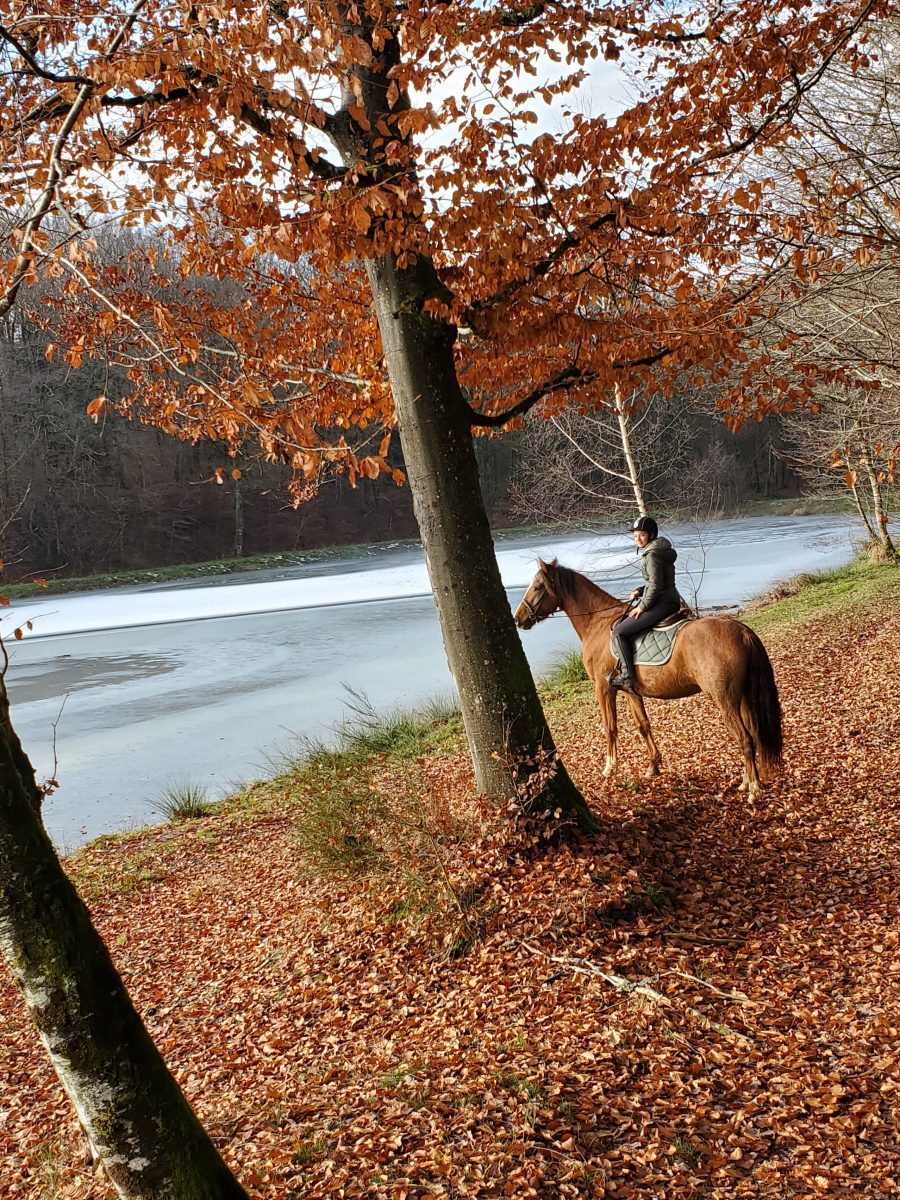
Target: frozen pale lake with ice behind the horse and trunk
(212,681)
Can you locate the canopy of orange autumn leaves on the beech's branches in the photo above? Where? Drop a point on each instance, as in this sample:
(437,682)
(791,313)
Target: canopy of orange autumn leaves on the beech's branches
(265,152)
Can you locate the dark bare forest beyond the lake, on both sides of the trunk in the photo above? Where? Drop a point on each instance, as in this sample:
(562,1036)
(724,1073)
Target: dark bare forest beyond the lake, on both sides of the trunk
(79,497)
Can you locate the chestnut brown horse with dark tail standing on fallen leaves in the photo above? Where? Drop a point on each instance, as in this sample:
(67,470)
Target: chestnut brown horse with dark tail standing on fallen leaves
(716,656)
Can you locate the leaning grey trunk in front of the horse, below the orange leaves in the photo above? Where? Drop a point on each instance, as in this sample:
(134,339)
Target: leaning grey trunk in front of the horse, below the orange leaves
(512,746)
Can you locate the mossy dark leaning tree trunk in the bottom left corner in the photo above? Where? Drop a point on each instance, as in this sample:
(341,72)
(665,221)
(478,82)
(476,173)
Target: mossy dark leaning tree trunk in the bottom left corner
(136,1118)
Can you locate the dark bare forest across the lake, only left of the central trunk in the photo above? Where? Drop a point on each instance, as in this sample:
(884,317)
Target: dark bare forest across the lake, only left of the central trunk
(80,497)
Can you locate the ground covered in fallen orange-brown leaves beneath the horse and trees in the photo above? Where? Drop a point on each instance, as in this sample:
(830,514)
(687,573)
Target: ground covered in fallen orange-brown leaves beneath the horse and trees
(370,986)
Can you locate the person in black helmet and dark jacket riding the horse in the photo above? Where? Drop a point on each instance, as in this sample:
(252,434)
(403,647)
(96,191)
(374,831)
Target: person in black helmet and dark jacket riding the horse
(652,603)
